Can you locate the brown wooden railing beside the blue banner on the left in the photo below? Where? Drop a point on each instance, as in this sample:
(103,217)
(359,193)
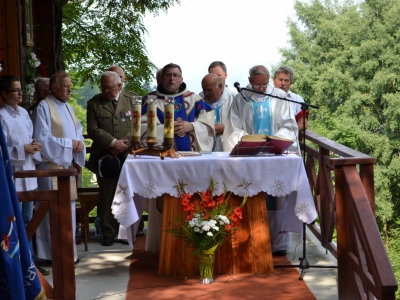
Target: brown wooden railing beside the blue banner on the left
(58,204)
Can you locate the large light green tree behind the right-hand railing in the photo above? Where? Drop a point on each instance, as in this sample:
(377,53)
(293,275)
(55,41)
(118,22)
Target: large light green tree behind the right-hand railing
(347,60)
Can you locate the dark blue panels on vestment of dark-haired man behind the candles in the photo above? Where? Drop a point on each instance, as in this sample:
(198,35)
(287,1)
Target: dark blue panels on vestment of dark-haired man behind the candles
(180,111)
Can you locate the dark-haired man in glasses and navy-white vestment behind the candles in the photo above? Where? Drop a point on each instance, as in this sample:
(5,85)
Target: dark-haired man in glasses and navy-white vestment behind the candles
(194,119)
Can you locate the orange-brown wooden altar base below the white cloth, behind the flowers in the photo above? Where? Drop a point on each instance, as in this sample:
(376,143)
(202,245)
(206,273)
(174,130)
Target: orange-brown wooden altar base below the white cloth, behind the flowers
(248,250)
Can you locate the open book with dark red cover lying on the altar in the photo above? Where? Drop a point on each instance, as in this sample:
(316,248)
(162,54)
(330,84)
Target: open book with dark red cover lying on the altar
(253,144)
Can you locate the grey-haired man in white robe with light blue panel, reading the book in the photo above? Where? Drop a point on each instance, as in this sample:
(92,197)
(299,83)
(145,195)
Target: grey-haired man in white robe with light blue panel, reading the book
(260,114)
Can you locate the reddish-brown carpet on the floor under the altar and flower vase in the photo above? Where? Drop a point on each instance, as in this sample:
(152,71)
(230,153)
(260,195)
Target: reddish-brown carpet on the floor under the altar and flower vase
(144,282)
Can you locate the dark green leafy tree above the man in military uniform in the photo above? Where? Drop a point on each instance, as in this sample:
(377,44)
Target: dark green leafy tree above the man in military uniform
(99,33)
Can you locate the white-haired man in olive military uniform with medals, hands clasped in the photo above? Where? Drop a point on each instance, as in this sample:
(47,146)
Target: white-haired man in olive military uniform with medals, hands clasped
(109,126)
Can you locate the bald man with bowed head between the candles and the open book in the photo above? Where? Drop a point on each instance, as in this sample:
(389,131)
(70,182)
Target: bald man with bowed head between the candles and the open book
(218,96)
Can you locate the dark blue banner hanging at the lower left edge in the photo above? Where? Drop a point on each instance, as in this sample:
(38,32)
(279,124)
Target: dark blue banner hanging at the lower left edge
(18,276)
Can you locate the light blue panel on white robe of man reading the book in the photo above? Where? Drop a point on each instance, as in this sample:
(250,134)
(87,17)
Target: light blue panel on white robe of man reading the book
(262,119)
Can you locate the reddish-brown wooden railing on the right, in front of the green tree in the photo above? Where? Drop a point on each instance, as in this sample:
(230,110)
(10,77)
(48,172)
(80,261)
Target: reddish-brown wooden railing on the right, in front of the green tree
(342,182)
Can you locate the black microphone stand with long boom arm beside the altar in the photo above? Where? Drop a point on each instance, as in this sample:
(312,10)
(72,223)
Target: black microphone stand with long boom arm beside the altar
(304,264)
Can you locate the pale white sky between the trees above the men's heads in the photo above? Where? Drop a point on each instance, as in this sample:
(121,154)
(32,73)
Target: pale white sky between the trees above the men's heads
(239,33)
